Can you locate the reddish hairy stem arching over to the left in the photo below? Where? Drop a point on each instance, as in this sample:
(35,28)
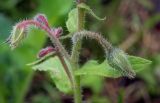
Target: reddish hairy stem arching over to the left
(62,52)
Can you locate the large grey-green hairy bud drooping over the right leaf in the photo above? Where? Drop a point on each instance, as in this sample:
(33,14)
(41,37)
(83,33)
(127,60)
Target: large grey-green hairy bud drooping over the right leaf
(118,60)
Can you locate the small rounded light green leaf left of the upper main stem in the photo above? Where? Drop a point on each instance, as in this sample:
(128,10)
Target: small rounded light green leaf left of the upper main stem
(72,22)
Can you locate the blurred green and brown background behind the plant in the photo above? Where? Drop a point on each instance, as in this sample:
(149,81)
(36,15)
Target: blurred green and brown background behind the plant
(133,25)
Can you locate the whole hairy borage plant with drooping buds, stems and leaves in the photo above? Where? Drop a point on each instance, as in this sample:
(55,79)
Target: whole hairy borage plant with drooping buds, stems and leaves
(62,66)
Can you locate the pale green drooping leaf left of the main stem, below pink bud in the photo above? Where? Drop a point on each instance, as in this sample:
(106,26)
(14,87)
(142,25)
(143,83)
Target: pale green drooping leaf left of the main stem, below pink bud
(54,67)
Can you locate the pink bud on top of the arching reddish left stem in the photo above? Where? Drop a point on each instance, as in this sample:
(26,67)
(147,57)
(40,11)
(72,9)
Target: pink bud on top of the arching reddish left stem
(41,18)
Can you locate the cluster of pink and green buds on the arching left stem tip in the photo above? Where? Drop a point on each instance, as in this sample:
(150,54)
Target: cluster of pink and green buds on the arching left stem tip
(20,30)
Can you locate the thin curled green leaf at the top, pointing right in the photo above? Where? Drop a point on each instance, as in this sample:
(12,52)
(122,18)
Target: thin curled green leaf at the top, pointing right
(89,10)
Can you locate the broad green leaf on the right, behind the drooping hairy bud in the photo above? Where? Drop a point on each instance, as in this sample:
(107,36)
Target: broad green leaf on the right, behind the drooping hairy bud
(92,67)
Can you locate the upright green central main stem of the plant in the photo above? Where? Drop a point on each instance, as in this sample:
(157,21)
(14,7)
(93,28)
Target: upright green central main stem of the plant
(75,55)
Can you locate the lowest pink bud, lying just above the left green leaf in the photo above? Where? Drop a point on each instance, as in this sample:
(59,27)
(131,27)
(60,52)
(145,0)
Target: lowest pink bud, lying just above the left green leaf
(46,51)
